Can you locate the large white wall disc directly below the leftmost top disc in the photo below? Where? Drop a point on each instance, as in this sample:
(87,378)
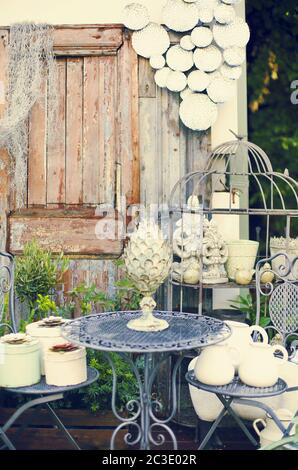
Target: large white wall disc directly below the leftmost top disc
(152,40)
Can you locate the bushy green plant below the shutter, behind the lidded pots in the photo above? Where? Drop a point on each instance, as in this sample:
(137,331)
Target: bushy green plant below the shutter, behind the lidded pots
(37,272)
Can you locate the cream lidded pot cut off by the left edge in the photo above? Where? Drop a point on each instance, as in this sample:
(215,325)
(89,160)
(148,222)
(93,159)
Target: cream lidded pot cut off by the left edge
(19,364)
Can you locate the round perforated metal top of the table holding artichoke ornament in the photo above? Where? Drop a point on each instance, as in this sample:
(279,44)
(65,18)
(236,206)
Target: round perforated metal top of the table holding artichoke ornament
(108,332)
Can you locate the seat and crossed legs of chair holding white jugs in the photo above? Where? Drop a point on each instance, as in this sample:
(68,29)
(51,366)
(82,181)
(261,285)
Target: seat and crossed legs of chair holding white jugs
(238,393)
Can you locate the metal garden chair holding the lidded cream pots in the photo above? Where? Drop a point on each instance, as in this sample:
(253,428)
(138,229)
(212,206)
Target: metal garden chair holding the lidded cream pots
(41,393)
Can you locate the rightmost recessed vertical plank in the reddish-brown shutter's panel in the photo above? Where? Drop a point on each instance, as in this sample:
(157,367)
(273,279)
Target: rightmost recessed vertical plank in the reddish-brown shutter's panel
(107,127)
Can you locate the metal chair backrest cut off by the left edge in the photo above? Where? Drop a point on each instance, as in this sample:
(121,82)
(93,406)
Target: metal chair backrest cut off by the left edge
(7,288)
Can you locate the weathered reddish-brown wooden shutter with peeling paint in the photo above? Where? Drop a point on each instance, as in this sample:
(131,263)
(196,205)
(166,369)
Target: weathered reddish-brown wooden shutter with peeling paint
(93,158)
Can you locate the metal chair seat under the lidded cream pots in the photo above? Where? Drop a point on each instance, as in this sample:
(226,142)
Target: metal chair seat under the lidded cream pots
(42,388)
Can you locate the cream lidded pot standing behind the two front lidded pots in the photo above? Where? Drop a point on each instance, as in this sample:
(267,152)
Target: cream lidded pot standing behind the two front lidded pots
(47,336)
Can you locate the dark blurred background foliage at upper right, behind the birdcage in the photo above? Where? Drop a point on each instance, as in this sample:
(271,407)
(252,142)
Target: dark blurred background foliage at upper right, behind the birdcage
(272,56)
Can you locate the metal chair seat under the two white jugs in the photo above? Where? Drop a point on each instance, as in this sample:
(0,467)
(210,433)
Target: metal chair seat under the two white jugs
(237,388)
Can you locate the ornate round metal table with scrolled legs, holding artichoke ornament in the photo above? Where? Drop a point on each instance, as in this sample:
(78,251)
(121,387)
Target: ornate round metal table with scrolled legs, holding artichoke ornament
(108,332)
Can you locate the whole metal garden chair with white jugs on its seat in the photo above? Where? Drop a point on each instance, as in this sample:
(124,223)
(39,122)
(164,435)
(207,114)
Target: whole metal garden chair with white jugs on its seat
(283,311)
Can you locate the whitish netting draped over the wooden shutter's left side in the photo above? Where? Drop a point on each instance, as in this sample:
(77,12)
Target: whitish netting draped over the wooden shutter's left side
(30,59)
